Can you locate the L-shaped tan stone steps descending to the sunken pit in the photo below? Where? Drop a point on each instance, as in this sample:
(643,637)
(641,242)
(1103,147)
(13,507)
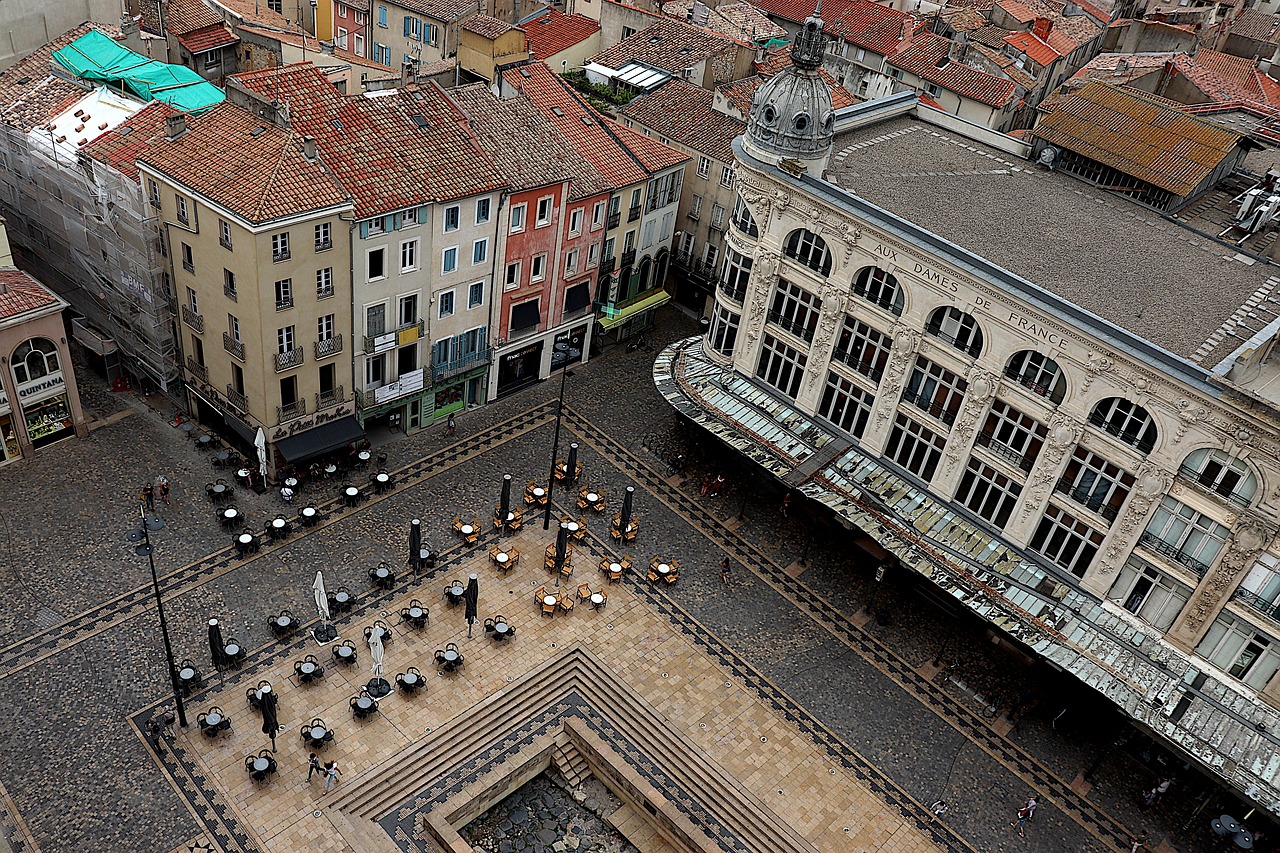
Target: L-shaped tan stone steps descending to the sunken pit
(739,814)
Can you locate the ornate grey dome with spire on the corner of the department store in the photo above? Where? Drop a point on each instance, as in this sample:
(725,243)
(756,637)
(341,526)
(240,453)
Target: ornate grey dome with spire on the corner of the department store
(792,113)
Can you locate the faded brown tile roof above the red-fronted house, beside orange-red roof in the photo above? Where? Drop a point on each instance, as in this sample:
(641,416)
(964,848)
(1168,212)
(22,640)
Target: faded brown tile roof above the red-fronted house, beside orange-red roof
(524,144)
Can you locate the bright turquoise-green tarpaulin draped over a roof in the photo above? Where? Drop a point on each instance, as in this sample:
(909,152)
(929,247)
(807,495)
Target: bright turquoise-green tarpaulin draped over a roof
(98,58)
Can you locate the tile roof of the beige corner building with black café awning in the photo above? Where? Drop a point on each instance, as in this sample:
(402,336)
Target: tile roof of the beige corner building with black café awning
(245,165)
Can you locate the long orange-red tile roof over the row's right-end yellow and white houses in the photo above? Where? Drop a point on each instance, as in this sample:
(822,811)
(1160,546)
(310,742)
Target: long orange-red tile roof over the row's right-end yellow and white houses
(620,157)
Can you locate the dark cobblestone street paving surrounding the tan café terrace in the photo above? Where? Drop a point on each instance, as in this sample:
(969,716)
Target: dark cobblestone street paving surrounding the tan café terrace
(80,650)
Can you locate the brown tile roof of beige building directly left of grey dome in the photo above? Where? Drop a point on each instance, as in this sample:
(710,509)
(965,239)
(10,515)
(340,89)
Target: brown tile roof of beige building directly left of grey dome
(683,113)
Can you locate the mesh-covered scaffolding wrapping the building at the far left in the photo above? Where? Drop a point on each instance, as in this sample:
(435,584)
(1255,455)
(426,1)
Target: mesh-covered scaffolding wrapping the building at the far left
(88,231)
